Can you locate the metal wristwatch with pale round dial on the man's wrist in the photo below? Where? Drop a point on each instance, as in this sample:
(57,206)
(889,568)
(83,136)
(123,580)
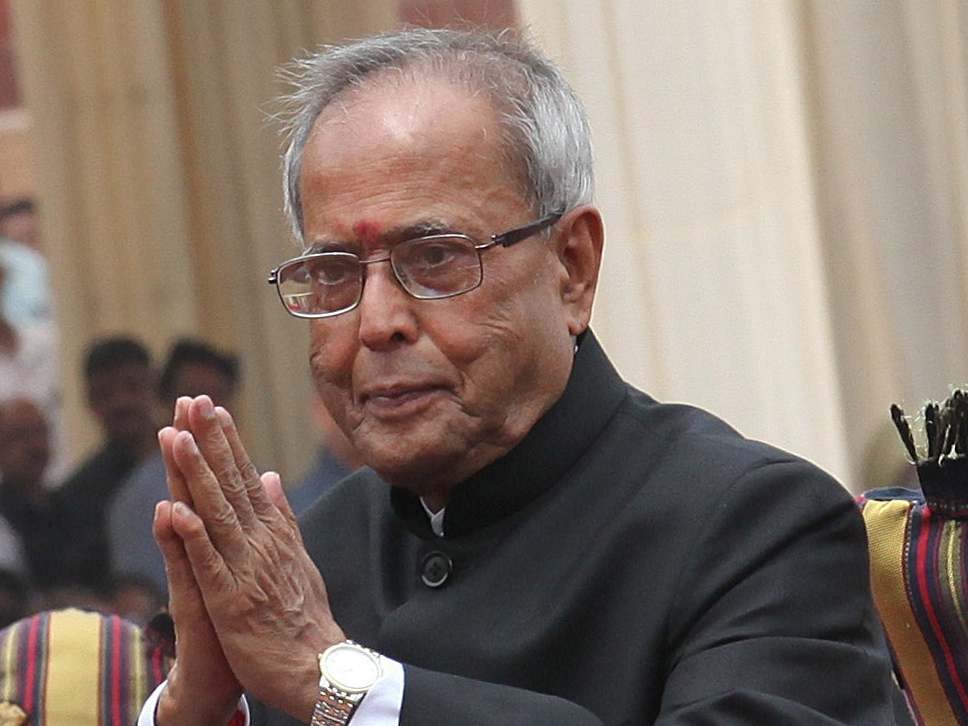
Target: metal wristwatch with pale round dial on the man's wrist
(347,671)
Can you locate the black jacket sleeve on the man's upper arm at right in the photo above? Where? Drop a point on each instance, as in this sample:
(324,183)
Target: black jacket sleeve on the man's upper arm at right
(774,620)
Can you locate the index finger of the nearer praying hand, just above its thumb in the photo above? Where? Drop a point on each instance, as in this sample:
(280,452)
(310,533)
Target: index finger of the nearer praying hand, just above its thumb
(209,503)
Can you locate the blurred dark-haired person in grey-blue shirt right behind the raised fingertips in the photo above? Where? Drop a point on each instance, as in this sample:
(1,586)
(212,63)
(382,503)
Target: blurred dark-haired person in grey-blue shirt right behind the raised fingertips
(192,368)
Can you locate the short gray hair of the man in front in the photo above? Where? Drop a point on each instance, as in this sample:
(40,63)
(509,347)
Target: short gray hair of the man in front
(547,137)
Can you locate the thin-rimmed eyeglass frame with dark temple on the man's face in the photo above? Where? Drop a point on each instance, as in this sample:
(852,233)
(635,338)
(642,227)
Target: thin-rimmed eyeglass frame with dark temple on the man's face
(504,239)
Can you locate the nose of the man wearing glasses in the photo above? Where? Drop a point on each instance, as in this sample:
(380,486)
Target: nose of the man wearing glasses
(386,310)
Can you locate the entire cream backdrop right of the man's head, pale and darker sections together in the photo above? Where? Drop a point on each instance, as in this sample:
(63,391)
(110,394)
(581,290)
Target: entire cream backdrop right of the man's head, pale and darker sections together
(785,185)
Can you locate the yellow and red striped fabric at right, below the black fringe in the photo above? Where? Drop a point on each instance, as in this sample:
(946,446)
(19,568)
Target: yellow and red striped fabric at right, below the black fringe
(918,576)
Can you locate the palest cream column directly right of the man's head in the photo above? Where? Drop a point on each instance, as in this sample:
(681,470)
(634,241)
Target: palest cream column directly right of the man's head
(713,290)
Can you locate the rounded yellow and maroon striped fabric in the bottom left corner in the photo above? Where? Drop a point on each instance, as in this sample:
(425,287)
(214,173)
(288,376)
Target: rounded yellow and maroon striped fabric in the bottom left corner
(74,667)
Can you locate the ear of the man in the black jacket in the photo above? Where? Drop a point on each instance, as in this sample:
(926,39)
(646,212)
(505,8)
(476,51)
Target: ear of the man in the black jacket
(579,240)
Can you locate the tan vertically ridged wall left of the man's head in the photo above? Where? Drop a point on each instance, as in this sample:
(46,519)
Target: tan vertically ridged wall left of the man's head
(159,177)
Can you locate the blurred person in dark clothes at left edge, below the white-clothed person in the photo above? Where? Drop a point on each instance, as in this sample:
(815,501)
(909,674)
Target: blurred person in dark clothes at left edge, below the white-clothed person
(36,539)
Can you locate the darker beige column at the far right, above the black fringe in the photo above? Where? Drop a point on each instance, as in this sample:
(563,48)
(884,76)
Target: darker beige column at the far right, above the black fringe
(889,123)
